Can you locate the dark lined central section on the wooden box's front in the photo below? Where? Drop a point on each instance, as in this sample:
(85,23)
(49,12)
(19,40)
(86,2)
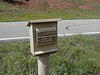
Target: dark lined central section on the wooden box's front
(46,37)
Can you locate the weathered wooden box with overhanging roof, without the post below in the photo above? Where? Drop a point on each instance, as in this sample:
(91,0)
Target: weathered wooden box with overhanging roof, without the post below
(43,36)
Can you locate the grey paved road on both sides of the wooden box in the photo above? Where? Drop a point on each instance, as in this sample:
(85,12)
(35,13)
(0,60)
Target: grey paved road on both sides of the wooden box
(19,29)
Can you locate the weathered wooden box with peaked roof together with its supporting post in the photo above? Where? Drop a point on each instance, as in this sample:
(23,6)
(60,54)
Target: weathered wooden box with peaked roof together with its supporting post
(43,41)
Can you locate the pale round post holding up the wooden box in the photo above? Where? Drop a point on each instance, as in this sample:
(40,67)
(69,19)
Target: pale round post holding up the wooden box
(43,64)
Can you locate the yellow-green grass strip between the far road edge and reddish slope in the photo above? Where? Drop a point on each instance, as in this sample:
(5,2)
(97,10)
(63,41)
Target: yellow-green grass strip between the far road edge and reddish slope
(10,12)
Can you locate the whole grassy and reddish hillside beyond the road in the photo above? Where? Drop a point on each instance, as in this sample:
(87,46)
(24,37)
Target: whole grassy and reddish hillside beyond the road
(21,10)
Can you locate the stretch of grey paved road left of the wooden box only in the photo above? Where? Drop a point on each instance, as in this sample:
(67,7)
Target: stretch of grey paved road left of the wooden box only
(13,29)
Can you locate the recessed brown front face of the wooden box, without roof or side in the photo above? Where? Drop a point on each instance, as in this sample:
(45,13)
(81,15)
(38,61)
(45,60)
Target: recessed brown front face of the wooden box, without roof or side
(46,37)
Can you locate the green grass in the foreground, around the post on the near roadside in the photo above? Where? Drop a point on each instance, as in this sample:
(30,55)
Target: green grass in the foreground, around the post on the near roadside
(76,56)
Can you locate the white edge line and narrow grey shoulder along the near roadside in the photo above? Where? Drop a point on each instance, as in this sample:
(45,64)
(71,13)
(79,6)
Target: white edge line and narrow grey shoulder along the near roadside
(26,39)
